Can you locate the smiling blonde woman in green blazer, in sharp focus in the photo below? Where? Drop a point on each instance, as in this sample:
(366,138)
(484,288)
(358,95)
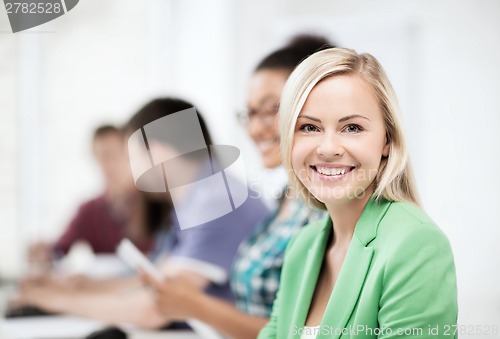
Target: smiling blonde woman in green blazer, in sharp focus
(377,266)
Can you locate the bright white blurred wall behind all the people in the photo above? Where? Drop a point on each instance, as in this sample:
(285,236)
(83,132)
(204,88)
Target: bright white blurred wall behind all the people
(103,60)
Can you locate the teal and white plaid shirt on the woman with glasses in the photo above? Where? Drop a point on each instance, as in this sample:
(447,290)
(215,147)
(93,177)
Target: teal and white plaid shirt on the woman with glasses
(257,268)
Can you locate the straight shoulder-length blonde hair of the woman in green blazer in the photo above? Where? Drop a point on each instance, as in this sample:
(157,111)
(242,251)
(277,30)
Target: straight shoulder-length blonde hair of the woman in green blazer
(394,180)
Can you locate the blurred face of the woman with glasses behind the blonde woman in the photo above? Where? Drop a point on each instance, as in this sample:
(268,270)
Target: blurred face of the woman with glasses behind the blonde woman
(263,99)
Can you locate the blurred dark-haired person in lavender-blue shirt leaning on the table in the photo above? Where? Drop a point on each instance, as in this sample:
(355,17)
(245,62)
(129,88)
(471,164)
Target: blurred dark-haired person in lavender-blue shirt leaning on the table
(201,256)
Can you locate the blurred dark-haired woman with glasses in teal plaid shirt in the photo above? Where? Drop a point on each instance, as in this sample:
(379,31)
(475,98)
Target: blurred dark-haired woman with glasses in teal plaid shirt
(255,274)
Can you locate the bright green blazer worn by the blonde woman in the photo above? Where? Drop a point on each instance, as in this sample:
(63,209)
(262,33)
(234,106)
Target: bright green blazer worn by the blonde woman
(398,279)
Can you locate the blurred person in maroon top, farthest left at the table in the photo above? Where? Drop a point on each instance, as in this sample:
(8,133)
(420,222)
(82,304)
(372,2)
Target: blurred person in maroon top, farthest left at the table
(106,219)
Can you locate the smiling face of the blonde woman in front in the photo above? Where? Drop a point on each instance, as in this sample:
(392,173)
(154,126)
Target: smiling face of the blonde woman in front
(339,140)
